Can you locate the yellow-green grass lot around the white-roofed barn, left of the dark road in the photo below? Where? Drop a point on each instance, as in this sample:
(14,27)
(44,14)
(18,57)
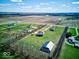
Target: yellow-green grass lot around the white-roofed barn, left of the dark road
(33,43)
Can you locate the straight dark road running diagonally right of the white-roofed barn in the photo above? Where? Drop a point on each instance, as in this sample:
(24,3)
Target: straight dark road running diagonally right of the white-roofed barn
(57,51)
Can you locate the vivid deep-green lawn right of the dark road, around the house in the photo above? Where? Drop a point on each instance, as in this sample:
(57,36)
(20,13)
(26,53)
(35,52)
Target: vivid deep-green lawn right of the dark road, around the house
(69,52)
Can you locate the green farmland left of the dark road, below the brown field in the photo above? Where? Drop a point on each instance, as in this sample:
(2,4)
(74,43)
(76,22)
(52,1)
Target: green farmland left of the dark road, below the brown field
(14,37)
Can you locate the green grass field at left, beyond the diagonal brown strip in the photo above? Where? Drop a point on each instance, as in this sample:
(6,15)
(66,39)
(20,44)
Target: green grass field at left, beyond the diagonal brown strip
(18,27)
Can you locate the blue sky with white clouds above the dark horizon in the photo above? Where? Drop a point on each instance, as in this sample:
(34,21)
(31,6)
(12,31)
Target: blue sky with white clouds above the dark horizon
(39,6)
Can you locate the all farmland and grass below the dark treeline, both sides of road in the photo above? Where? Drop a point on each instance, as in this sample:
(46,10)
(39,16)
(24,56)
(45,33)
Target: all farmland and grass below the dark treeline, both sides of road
(18,39)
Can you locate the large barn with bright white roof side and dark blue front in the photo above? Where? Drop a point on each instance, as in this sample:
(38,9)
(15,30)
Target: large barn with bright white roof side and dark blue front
(47,47)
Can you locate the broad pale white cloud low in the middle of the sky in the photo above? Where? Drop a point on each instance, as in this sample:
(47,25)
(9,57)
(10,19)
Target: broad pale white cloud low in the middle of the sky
(37,8)
